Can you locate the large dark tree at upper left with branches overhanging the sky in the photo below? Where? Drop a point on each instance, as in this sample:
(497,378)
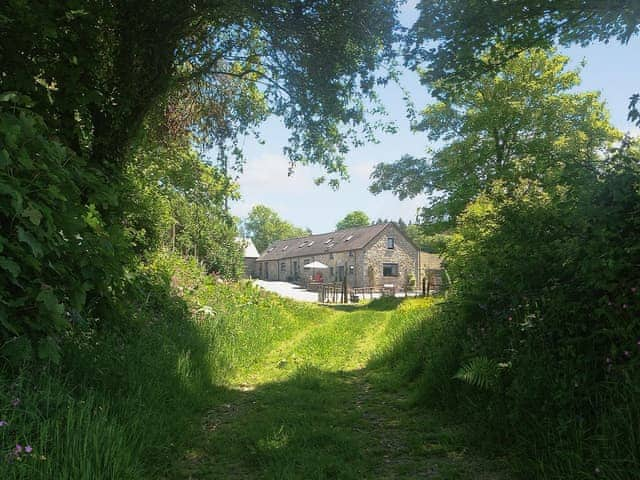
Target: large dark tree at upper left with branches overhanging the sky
(314,62)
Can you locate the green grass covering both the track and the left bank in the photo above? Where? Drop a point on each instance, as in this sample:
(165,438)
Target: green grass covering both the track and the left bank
(225,381)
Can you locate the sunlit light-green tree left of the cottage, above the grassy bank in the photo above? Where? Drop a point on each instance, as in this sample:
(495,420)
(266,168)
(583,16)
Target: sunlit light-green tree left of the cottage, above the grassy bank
(180,200)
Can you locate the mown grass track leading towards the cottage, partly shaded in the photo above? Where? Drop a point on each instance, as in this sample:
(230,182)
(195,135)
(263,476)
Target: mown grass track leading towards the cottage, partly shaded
(311,409)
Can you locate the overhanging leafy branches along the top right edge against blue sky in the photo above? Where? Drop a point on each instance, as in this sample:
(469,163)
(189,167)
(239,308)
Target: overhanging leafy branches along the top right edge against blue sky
(467,34)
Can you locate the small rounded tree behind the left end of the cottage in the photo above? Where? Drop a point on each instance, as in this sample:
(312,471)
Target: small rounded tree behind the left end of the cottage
(265,226)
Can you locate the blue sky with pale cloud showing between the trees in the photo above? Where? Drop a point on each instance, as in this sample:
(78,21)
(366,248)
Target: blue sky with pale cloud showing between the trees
(611,69)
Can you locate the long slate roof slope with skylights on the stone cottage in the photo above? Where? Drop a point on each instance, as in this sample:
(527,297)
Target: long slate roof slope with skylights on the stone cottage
(340,241)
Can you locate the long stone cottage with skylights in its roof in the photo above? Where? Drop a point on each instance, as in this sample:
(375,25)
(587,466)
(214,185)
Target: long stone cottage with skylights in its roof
(370,256)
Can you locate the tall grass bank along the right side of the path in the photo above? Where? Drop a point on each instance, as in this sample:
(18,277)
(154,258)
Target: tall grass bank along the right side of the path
(602,442)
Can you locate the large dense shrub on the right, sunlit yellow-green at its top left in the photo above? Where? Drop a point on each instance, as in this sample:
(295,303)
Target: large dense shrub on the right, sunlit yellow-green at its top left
(546,278)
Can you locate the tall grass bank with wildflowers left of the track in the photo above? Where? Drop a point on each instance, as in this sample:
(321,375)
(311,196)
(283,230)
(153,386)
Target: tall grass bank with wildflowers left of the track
(126,399)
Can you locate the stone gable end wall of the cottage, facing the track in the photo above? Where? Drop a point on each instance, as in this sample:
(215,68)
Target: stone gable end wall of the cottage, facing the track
(404,254)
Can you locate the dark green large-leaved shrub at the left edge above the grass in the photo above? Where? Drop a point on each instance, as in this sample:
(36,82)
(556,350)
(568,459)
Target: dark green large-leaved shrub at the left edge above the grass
(55,248)
